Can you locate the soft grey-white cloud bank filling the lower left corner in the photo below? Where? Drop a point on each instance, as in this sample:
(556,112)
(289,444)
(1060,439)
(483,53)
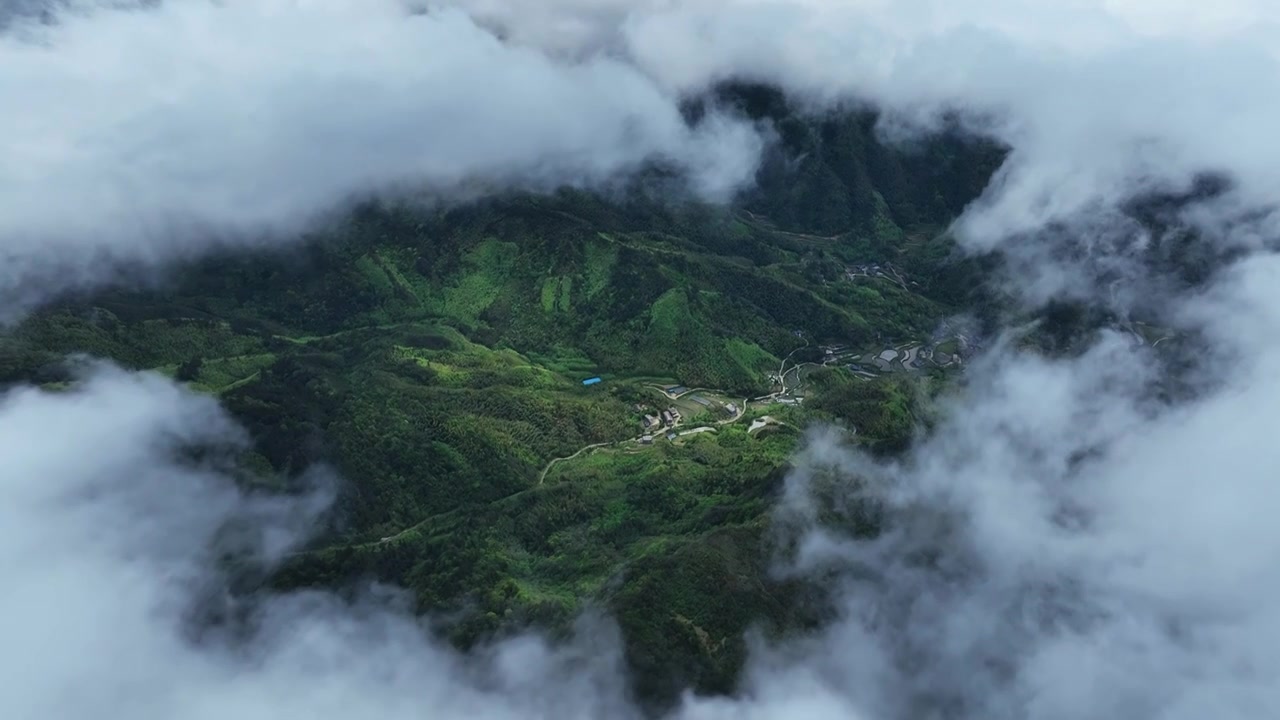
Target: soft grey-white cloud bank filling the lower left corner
(109,541)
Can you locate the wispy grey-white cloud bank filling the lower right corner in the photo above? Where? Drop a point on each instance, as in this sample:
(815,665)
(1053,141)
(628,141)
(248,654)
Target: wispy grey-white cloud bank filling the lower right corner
(1067,546)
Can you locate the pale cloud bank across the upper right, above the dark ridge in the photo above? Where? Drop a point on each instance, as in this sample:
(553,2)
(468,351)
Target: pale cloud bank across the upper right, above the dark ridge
(1096,99)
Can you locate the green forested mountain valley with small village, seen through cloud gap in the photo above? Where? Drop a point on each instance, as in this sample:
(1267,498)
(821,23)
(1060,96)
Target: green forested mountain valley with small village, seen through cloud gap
(436,359)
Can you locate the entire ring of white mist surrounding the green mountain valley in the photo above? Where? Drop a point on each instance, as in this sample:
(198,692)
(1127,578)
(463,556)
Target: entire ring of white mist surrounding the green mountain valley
(1068,543)
